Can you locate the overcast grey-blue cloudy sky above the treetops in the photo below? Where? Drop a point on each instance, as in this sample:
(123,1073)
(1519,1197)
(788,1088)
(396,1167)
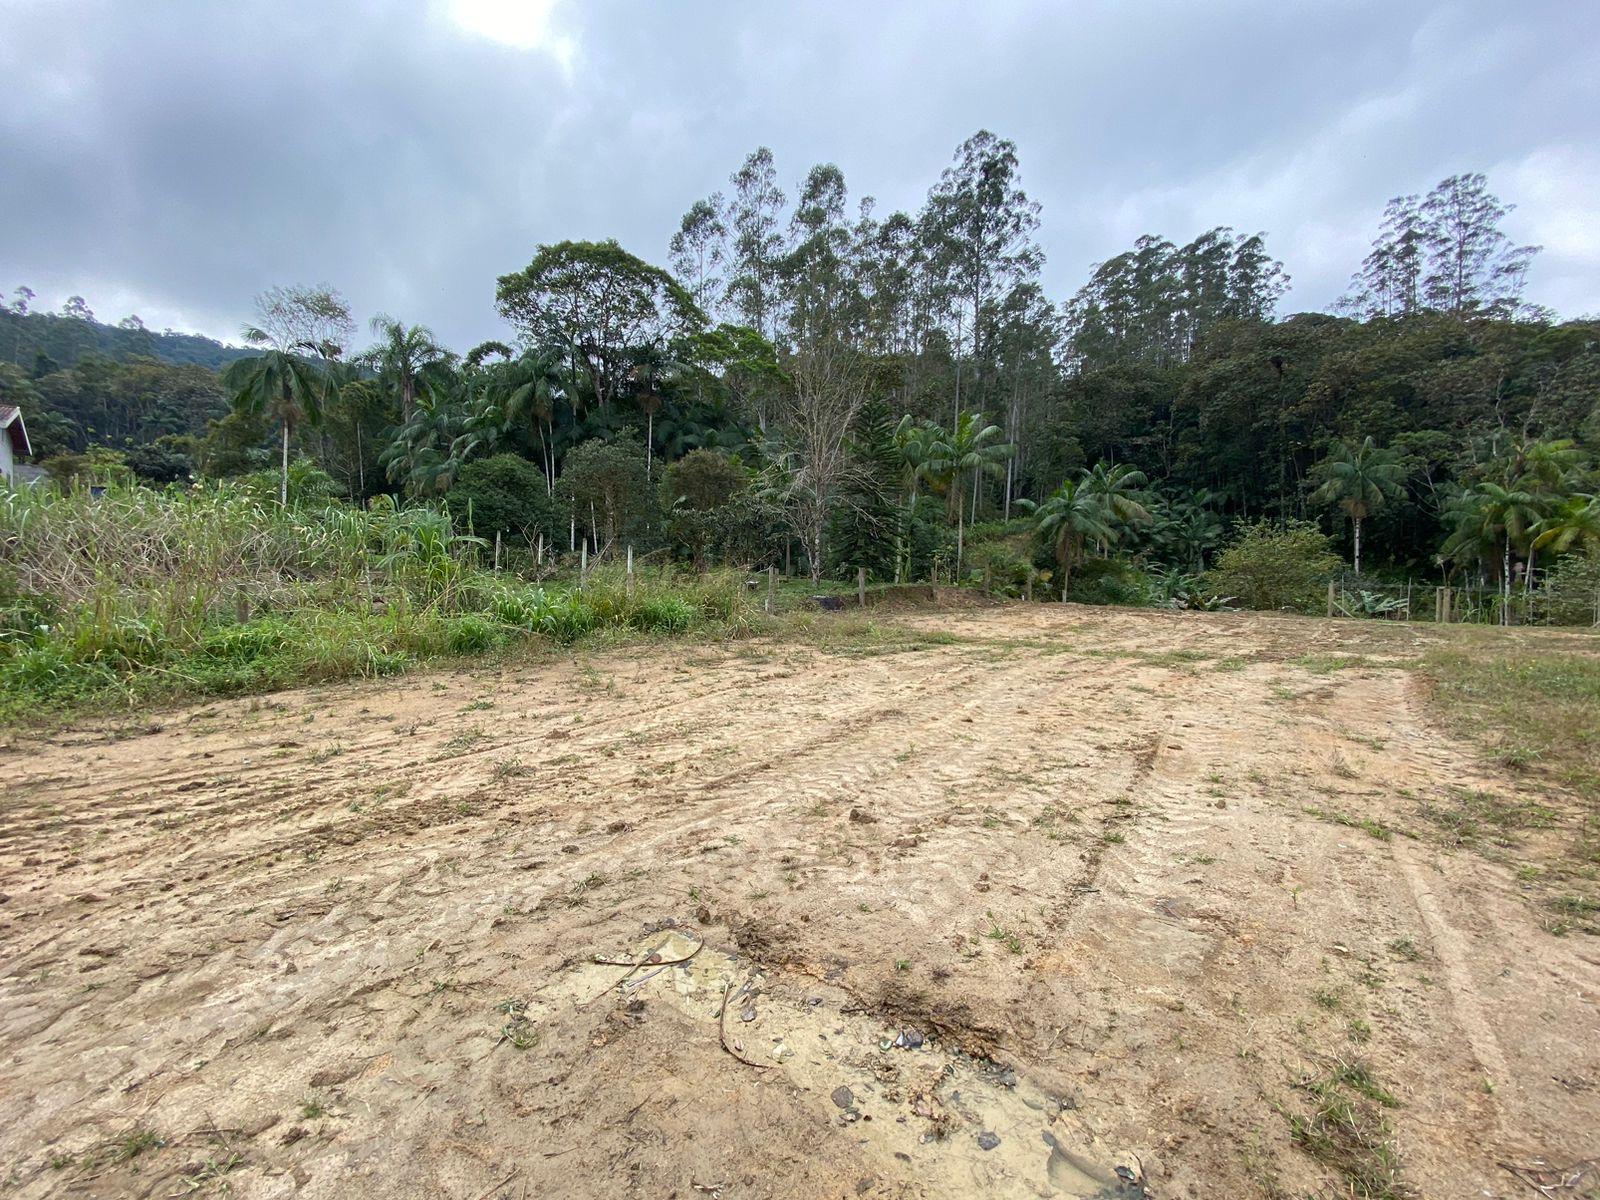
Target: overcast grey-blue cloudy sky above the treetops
(177,158)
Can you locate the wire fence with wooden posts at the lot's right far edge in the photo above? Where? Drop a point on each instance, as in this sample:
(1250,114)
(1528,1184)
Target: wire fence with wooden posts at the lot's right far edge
(1534,602)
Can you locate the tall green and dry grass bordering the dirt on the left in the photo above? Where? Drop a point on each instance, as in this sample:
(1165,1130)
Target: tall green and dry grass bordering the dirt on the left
(138,594)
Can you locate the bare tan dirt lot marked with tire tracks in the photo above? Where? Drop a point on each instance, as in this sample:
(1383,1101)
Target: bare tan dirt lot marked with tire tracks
(1154,905)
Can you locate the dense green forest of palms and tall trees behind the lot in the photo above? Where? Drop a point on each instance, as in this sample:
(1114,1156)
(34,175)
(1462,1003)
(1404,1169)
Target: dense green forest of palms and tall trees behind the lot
(812,383)
